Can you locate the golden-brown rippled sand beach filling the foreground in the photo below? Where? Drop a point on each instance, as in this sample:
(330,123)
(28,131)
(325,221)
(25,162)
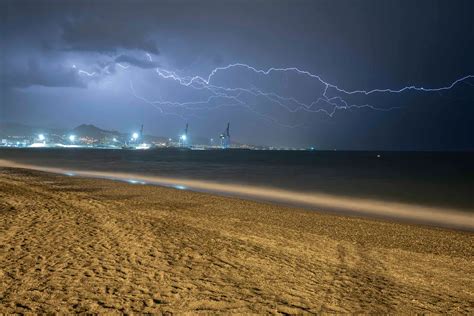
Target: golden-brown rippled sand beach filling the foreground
(70,244)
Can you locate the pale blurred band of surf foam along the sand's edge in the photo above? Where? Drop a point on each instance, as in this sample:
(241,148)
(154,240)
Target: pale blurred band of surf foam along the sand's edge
(442,217)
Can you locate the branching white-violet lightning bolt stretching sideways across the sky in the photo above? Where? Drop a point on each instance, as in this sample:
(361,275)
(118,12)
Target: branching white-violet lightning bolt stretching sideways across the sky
(332,98)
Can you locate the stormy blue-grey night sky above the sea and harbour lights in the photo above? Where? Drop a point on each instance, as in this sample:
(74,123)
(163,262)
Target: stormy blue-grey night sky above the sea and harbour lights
(120,64)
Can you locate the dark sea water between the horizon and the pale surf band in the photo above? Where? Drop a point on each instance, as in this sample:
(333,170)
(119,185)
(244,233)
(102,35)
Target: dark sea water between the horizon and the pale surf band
(440,179)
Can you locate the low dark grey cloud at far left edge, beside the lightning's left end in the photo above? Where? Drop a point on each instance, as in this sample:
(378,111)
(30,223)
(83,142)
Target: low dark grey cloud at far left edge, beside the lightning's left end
(34,74)
